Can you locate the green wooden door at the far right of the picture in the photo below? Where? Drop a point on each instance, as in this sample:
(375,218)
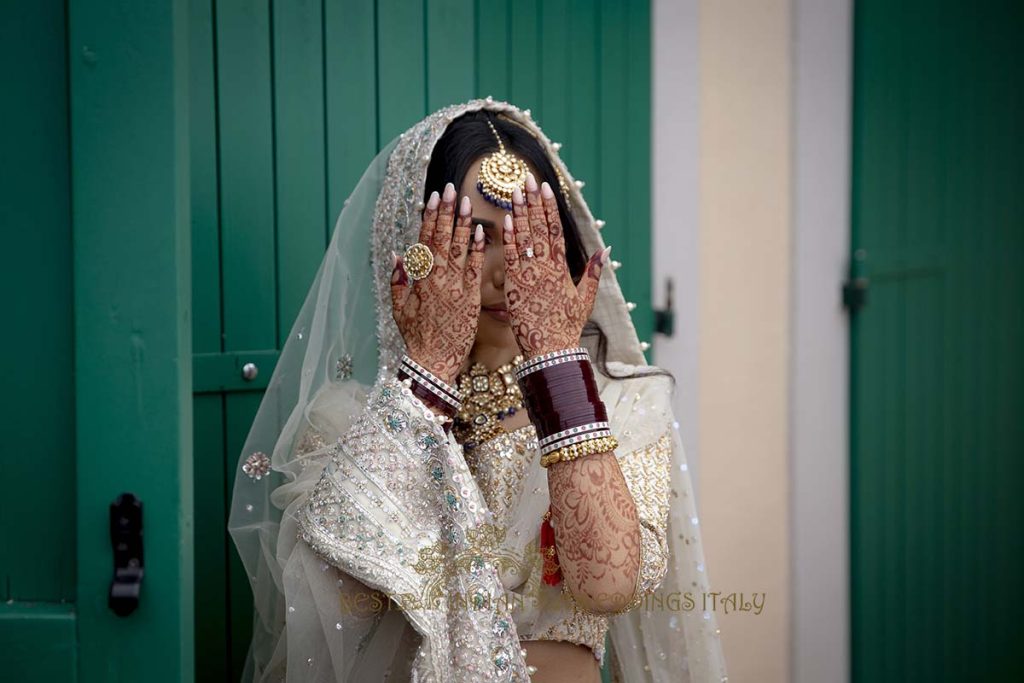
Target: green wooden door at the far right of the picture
(937,453)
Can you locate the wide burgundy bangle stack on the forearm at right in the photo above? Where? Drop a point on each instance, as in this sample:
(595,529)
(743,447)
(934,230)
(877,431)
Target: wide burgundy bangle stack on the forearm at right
(563,397)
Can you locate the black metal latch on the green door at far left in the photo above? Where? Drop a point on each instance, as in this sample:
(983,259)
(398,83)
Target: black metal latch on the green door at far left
(126,541)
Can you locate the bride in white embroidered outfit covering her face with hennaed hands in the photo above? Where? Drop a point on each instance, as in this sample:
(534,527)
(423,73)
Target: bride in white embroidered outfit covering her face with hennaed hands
(463,468)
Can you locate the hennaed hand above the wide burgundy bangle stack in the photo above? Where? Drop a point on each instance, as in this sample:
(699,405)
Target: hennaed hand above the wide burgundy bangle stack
(546,310)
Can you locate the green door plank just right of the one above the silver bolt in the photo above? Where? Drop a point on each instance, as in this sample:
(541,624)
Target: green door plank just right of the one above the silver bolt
(300,134)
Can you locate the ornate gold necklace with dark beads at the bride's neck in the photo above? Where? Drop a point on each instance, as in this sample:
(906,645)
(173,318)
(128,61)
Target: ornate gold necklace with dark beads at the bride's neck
(488,398)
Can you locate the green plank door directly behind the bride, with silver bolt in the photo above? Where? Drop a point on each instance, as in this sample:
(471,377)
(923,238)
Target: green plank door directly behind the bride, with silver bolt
(290,102)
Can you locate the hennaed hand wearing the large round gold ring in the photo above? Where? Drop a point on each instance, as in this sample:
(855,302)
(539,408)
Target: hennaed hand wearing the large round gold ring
(438,316)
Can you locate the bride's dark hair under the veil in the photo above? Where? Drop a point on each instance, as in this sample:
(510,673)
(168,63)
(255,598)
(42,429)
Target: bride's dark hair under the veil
(470,138)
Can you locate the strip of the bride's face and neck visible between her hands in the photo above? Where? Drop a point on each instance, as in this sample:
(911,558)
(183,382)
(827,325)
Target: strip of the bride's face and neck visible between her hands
(493,329)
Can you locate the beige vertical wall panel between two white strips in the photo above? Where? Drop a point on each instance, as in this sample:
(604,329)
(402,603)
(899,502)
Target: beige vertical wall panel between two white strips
(745,267)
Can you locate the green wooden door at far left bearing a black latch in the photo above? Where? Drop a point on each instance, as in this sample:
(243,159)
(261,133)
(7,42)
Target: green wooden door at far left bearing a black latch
(95,214)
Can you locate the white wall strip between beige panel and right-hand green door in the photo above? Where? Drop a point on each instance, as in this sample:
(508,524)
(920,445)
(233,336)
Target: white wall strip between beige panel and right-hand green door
(820,436)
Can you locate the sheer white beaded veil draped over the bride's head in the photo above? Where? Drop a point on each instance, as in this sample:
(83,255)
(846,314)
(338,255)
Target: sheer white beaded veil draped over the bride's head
(343,341)
